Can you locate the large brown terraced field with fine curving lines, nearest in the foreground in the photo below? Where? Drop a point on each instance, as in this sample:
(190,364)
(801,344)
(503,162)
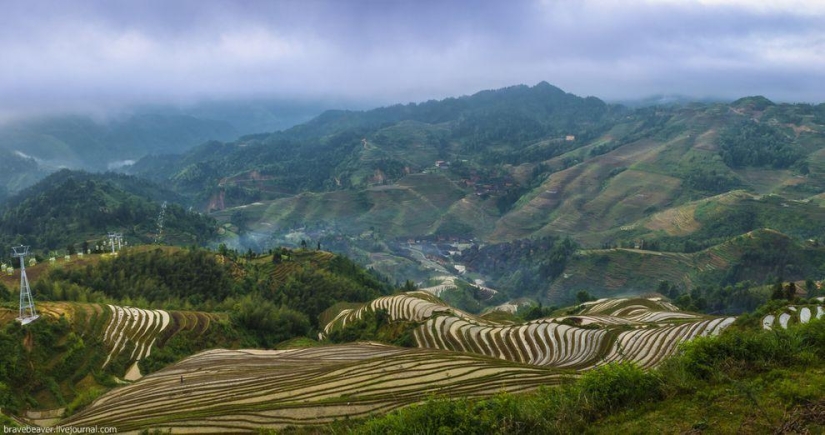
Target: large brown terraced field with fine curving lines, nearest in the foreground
(223,391)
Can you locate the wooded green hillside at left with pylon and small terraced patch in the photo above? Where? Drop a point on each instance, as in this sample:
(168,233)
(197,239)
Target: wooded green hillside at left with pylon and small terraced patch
(108,320)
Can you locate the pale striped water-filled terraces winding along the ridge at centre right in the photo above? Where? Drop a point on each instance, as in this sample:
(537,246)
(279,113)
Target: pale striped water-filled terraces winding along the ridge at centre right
(640,330)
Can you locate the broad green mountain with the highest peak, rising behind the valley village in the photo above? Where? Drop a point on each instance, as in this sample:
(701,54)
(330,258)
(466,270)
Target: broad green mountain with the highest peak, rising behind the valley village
(524,162)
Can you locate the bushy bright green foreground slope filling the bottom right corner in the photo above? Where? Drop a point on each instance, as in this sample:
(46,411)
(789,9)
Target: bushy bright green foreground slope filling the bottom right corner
(743,381)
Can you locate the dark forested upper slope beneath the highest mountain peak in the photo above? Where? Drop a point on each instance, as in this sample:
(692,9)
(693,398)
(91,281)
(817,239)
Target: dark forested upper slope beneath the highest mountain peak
(327,153)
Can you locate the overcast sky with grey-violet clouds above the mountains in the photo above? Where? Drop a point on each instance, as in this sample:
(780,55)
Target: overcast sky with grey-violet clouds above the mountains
(91,54)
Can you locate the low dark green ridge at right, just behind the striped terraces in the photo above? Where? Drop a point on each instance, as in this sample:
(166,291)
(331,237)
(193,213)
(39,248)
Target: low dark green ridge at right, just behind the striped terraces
(758,256)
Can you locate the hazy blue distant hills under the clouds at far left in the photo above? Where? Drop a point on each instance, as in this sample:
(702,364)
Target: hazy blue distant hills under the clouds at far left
(108,140)
